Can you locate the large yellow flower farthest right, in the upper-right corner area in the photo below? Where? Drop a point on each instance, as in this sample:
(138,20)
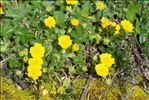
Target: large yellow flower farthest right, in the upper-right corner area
(127,25)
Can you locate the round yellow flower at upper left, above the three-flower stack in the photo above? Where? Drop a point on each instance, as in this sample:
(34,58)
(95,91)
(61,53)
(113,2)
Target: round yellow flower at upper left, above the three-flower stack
(50,22)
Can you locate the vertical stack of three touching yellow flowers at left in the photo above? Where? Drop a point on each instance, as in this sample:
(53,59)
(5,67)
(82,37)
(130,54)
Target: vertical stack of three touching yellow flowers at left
(35,63)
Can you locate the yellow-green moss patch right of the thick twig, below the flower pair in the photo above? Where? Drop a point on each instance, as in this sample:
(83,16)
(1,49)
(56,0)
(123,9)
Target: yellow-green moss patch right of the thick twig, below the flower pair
(98,90)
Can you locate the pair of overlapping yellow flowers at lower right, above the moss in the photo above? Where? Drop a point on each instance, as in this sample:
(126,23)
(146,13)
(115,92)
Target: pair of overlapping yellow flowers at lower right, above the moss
(106,61)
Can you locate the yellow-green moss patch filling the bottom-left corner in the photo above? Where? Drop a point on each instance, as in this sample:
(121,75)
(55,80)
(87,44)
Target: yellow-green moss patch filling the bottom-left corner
(11,91)
